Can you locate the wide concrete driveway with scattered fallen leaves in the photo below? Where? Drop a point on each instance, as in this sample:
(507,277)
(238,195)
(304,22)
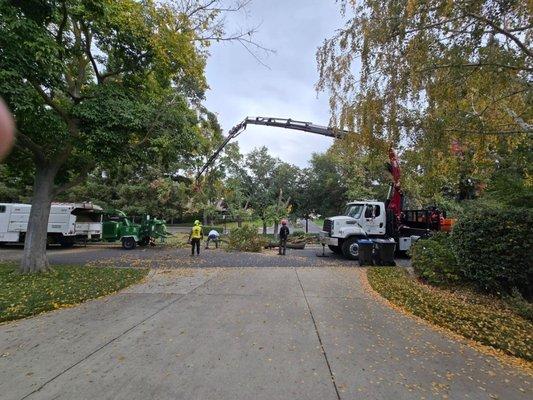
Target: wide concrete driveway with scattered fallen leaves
(289,332)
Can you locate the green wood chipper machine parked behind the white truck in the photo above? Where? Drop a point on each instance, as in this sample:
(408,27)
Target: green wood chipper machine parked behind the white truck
(117,226)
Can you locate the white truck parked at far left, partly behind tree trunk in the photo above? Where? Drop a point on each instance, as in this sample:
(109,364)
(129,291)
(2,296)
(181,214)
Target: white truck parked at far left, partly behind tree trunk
(67,223)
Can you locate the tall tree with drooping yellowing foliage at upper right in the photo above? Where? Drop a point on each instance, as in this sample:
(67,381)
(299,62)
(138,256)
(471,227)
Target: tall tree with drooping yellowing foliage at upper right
(449,79)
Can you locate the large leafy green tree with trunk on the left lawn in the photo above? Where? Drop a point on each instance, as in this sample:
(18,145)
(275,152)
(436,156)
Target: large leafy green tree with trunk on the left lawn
(89,82)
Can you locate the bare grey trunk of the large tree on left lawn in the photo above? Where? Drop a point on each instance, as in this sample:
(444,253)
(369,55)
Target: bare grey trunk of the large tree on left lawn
(34,256)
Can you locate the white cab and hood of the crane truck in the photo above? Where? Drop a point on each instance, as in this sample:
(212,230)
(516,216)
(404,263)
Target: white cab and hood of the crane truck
(361,219)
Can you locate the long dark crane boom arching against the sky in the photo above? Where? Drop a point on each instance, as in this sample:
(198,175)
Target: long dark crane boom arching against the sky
(275,122)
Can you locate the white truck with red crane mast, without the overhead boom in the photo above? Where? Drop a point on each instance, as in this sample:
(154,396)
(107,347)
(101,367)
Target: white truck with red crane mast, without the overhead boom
(371,219)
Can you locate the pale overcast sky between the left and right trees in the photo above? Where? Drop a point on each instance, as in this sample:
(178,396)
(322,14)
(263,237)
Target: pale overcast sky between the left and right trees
(241,86)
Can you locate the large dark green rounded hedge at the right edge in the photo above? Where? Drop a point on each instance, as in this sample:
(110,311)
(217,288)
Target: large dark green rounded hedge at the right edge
(493,248)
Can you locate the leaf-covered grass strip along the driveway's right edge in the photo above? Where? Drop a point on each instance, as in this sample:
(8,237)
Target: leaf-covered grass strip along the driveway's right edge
(485,319)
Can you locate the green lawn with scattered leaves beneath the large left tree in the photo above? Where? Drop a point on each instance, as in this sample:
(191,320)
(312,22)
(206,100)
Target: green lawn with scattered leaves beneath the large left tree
(25,295)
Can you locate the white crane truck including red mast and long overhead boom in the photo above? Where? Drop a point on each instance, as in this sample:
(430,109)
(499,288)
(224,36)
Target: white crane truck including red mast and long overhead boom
(362,219)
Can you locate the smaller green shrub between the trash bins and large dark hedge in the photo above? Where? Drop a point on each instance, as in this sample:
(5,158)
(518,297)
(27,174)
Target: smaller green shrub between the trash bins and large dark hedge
(434,261)
